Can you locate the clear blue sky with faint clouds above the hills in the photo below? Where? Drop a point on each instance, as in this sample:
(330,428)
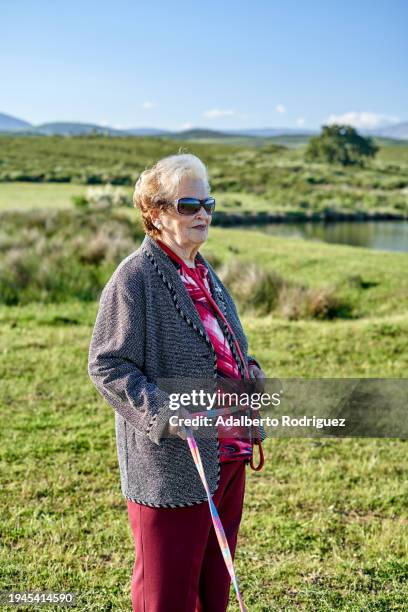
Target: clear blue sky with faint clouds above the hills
(216,64)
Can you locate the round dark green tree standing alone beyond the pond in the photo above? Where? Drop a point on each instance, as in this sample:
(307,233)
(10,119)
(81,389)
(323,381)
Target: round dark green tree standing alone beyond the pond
(340,144)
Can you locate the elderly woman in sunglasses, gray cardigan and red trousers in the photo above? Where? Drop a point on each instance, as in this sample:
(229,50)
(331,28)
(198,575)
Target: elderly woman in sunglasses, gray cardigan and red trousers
(159,317)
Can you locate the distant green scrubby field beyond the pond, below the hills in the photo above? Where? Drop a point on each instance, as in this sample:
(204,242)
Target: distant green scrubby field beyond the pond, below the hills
(271,178)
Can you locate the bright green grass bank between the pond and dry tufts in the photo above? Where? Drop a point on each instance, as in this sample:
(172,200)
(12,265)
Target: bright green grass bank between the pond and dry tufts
(384,275)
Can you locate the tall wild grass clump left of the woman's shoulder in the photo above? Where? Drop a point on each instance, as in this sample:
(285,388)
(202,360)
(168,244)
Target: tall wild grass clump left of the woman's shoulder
(54,255)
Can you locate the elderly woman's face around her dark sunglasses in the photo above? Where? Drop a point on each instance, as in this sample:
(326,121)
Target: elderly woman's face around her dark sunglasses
(187,230)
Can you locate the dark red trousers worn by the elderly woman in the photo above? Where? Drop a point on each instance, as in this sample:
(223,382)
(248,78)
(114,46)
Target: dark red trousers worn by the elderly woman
(178,563)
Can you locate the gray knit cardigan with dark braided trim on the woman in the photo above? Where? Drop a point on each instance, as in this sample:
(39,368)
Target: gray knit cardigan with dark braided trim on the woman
(147,327)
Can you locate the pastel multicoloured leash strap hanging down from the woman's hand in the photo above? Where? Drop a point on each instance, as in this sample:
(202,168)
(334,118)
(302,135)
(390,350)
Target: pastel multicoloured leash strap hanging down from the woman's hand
(219,529)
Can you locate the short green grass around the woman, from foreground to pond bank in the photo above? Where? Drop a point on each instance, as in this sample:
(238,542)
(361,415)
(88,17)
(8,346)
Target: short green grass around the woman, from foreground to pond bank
(325,523)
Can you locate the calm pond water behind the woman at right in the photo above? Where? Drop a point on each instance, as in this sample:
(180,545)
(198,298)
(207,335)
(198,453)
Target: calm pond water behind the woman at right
(383,235)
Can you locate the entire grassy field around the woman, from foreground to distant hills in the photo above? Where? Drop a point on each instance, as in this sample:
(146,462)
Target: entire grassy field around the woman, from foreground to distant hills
(325,523)
